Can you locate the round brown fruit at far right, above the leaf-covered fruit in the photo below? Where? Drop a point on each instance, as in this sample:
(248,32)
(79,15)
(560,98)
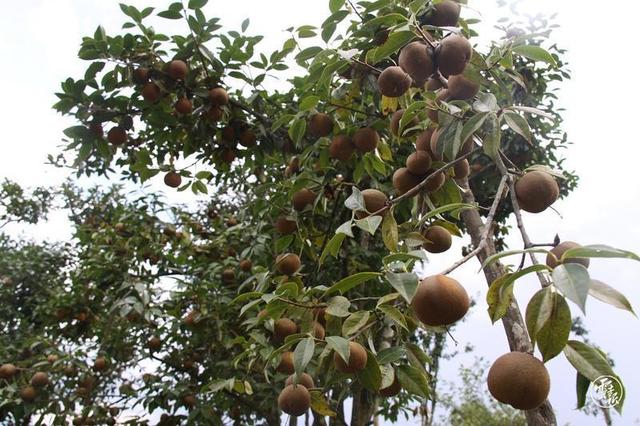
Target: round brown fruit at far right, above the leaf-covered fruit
(536,191)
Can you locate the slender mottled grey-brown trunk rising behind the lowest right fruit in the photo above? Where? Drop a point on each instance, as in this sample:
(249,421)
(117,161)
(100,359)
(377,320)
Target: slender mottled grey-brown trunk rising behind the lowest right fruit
(513,322)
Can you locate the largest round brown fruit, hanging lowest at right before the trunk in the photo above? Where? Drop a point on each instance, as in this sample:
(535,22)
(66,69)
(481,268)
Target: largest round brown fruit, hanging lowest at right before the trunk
(520,380)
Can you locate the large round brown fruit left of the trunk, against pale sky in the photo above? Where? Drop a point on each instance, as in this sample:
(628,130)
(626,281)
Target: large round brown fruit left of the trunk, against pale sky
(440,300)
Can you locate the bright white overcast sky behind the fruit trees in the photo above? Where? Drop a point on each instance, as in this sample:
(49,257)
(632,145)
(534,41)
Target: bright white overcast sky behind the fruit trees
(40,39)
